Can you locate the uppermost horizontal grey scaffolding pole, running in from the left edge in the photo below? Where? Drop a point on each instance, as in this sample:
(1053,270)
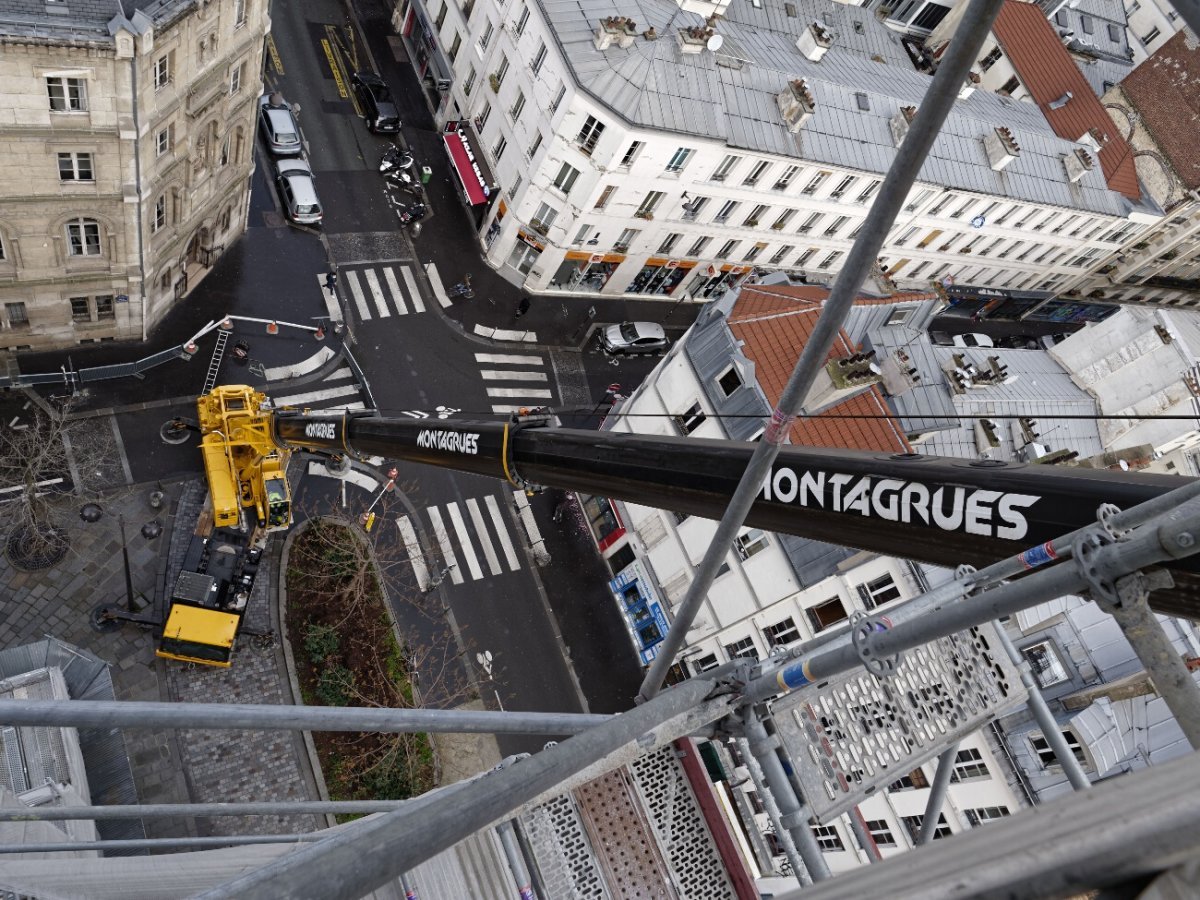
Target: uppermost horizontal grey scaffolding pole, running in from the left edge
(129,715)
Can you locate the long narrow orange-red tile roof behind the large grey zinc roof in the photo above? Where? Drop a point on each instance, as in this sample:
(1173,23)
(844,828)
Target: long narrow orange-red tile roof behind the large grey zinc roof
(1048,71)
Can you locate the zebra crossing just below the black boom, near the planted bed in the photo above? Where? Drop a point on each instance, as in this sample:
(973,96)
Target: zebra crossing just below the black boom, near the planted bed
(471,541)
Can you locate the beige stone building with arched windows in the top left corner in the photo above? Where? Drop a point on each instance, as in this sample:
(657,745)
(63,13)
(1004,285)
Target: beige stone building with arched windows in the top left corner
(127,148)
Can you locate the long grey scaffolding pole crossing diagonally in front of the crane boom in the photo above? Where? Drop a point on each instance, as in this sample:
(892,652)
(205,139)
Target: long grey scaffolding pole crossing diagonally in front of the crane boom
(935,106)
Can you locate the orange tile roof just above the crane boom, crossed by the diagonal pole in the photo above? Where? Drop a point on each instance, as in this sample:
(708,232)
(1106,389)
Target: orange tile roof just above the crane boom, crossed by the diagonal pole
(775,323)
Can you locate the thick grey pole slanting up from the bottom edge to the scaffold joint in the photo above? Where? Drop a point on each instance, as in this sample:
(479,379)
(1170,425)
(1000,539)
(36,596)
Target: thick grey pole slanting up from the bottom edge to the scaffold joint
(368,854)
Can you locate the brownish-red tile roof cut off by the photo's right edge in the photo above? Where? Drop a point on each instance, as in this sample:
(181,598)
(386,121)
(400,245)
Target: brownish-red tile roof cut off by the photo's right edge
(1166,89)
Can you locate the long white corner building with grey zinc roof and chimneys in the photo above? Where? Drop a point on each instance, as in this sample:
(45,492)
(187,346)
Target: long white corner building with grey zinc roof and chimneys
(640,154)
